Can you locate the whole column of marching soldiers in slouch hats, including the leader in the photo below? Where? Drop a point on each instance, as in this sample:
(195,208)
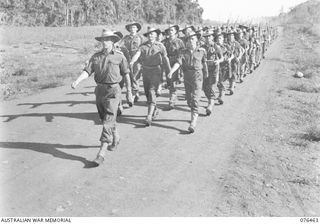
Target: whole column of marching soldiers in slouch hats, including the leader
(204,59)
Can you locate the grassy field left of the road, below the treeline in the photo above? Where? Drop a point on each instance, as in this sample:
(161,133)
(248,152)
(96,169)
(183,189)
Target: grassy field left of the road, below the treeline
(37,58)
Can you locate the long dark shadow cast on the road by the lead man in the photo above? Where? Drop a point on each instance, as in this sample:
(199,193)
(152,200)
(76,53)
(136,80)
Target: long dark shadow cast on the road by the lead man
(51,149)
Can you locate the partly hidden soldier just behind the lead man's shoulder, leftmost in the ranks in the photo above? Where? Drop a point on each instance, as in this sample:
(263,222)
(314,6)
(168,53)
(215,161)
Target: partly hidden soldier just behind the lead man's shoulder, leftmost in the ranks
(132,42)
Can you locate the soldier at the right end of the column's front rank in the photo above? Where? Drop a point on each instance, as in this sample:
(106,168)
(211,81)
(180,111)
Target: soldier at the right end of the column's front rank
(193,63)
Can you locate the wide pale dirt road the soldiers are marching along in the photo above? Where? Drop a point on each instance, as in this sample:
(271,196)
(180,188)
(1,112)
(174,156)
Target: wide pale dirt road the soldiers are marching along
(48,140)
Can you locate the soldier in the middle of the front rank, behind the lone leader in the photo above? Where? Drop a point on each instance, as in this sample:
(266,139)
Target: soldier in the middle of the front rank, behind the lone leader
(153,56)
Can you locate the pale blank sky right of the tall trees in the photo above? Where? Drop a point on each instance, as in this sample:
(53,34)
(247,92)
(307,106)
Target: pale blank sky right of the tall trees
(222,10)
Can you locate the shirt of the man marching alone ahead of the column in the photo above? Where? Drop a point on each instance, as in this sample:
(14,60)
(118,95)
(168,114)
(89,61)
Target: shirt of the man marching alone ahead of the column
(107,68)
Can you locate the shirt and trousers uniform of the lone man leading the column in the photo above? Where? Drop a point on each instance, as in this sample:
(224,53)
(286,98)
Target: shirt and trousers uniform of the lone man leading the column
(108,69)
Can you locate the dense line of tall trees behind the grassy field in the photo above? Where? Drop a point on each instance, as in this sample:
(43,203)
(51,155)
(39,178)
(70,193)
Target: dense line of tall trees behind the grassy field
(96,12)
